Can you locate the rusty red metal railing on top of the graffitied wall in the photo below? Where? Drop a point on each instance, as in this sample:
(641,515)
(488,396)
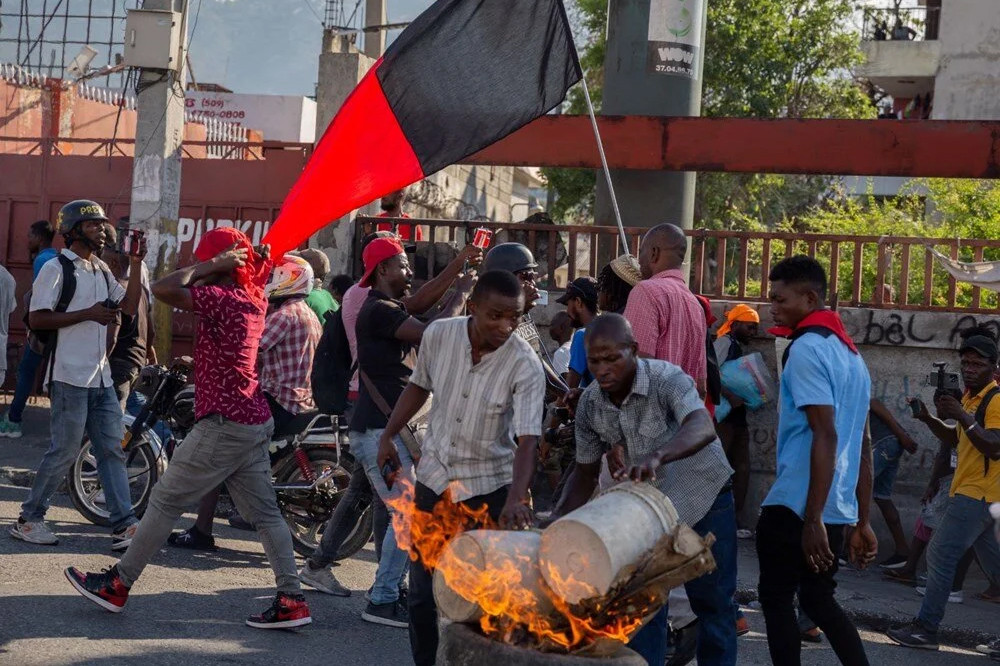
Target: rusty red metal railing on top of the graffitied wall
(871,271)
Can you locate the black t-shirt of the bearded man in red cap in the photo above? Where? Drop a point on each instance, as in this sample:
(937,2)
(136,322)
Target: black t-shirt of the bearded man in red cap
(387,361)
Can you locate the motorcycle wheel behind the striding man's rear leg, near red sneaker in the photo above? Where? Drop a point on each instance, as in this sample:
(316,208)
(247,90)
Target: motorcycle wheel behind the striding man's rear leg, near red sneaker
(307,512)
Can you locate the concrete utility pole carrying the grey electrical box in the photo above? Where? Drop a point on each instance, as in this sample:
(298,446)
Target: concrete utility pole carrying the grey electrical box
(156,173)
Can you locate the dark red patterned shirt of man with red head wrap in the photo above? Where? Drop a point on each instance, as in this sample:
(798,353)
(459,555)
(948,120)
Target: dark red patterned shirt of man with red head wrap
(230,324)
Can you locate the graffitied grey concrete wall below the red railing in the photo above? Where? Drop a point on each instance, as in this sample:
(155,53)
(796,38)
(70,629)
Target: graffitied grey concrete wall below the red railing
(900,348)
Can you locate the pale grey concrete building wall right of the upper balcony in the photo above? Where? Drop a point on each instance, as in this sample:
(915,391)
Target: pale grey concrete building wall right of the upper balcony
(969,69)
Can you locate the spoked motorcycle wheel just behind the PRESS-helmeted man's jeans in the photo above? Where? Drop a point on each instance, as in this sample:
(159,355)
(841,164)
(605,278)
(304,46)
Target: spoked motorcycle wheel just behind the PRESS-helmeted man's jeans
(85,488)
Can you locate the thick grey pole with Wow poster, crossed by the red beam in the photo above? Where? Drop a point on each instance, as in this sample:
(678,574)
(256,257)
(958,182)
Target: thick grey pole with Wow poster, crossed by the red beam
(653,66)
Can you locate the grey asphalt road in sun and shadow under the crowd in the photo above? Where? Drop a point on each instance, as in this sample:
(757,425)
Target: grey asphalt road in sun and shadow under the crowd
(189,609)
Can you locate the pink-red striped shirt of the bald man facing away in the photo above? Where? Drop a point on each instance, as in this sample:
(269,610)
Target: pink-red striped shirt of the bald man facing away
(669,323)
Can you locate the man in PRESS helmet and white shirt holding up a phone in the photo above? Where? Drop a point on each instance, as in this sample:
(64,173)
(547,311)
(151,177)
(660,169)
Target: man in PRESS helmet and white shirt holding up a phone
(74,299)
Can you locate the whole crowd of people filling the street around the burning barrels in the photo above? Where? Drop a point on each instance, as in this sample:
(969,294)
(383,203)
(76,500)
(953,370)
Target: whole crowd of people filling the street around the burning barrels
(452,392)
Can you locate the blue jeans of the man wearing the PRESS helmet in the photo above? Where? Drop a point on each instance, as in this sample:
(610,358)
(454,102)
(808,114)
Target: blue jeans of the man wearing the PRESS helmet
(95,411)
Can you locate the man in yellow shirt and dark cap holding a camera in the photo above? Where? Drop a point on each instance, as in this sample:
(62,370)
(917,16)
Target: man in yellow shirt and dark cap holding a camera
(976,483)
